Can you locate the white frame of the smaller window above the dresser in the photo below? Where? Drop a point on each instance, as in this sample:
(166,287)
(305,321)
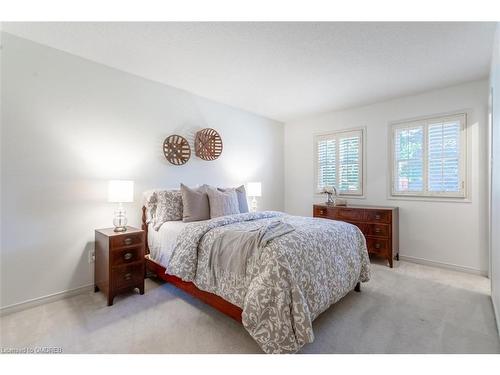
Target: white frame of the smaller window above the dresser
(362,159)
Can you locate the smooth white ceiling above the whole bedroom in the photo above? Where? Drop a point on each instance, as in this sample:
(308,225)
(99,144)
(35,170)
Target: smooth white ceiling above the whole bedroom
(282,70)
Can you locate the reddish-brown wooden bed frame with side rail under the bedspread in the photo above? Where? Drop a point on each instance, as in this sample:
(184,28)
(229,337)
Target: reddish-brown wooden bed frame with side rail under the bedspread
(211,299)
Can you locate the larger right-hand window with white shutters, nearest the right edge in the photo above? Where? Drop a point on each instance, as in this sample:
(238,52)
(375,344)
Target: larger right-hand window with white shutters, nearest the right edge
(429,157)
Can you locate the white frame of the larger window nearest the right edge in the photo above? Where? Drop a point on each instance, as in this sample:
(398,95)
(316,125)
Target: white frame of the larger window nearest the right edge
(462,195)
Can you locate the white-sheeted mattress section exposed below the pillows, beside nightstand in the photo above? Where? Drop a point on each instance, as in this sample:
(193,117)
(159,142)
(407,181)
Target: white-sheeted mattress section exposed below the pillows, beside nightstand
(162,242)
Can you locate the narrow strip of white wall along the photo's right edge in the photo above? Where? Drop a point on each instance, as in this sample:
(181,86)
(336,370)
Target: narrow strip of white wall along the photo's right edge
(495,178)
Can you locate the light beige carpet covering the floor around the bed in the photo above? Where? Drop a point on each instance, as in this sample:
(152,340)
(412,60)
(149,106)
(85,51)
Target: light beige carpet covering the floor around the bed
(409,309)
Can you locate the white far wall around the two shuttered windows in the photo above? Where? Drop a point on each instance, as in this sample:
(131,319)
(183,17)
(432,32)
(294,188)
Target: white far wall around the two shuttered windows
(449,233)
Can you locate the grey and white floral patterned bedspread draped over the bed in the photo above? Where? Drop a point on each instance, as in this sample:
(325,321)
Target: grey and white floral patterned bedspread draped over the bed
(290,281)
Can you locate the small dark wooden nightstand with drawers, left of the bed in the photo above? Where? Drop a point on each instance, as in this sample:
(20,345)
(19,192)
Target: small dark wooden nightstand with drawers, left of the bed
(119,261)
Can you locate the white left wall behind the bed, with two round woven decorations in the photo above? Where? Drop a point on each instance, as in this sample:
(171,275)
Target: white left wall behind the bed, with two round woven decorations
(69,125)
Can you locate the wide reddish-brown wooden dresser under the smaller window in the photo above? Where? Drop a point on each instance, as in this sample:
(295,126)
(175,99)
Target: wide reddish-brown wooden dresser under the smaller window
(380,225)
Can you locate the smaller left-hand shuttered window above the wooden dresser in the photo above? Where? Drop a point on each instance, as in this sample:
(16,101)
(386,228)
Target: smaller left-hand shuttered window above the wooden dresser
(339,162)
